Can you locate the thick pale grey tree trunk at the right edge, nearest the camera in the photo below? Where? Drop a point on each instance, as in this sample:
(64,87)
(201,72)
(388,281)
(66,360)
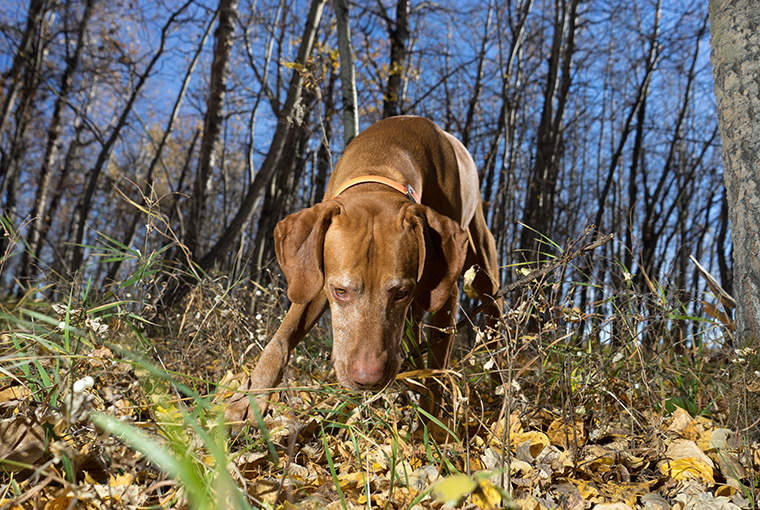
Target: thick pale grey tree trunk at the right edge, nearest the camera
(736,64)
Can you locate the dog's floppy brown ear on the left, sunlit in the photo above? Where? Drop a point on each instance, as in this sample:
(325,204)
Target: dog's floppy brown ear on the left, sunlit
(299,242)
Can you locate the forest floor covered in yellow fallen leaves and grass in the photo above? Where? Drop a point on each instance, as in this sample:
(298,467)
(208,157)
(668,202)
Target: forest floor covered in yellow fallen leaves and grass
(105,403)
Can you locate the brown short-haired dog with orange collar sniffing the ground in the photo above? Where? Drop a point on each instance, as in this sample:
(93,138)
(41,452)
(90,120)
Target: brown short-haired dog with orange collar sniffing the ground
(402,217)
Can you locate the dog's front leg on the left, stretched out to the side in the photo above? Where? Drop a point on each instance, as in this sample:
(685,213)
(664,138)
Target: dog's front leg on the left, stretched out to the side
(275,356)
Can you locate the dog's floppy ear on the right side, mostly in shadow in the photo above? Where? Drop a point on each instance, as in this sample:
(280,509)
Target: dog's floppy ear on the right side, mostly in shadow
(443,247)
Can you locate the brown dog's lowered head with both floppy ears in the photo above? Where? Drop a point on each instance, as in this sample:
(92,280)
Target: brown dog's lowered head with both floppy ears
(371,261)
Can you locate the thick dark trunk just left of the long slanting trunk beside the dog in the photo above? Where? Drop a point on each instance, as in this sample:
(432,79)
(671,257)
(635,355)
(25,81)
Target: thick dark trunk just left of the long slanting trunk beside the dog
(212,125)
